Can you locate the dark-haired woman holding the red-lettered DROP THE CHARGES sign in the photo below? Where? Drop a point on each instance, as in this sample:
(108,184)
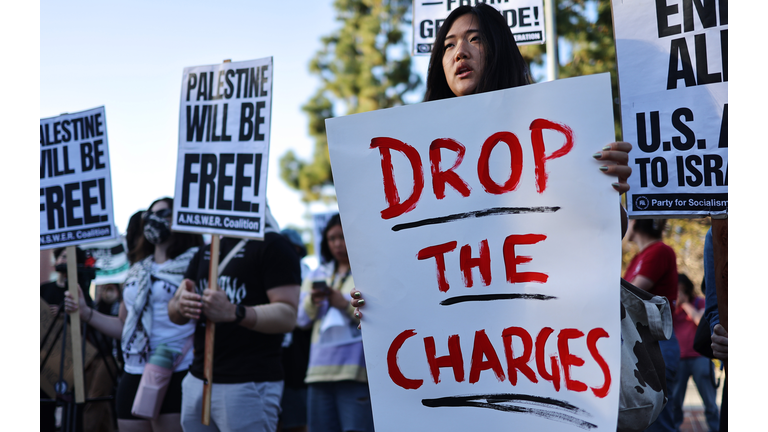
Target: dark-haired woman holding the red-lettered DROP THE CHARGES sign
(475,52)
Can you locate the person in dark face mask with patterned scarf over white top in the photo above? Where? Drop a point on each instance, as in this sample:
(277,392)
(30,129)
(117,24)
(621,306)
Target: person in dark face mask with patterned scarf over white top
(159,259)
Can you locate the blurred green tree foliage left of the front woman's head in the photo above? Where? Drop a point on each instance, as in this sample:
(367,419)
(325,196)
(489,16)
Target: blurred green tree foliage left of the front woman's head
(363,66)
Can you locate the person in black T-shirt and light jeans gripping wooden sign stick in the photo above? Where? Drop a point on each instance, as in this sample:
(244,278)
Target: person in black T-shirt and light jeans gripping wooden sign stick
(253,309)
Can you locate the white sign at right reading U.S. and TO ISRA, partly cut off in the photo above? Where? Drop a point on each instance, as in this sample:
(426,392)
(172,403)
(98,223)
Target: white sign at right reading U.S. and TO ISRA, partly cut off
(673,79)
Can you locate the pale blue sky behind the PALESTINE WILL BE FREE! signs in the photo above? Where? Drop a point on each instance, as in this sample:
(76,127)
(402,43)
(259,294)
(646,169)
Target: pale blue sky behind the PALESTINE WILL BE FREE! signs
(129,57)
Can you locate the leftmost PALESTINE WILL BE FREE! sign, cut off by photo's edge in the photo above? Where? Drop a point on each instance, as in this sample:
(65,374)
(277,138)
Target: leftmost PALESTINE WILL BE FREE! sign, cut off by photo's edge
(75,181)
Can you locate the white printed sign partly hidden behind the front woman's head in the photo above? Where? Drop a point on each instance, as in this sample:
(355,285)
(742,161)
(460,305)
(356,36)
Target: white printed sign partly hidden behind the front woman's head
(524,17)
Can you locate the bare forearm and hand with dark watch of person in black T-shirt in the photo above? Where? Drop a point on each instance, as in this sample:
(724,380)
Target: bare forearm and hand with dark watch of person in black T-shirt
(277,316)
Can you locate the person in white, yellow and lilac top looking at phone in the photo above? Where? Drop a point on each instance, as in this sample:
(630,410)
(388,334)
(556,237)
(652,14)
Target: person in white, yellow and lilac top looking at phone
(338,396)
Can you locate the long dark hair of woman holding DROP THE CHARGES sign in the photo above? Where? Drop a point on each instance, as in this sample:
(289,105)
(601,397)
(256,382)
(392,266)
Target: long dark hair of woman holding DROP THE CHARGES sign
(504,65)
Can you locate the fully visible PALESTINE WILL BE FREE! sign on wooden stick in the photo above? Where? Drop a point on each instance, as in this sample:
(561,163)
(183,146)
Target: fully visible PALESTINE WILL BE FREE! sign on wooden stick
(224,131)
